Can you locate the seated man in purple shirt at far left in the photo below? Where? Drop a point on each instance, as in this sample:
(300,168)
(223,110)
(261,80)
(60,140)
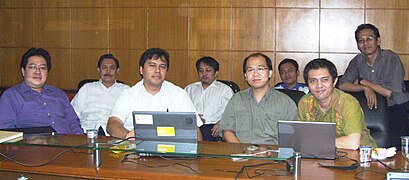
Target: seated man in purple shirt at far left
(32,103)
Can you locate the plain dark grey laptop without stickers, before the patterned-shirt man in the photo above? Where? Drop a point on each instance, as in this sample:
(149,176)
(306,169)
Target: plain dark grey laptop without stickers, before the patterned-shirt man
(312,139)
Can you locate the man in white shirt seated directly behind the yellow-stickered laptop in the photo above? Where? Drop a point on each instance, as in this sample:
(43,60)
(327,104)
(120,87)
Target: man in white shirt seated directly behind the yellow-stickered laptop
(152,93)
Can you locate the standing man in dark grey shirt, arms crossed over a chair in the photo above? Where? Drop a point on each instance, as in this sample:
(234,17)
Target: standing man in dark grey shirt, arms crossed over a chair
(376,70)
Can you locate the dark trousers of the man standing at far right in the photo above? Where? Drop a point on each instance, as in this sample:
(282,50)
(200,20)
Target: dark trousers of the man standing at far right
(398,124)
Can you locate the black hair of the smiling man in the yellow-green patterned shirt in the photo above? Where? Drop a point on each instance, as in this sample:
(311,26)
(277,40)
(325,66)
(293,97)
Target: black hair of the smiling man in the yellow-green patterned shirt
(320,63)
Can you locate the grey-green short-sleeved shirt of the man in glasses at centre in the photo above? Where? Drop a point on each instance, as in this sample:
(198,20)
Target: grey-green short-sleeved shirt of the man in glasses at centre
(254,122)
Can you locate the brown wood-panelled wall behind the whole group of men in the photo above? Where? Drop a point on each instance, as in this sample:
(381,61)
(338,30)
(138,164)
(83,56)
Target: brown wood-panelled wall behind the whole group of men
(78,32)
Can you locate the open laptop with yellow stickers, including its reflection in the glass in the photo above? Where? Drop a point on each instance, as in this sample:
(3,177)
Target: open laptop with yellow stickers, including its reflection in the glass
(170,133)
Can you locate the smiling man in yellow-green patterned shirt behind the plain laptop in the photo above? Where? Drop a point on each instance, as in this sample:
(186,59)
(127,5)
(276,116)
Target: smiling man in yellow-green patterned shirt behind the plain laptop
(328,104)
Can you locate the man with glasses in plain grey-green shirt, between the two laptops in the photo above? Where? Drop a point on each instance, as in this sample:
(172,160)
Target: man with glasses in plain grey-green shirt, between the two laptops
(252,115)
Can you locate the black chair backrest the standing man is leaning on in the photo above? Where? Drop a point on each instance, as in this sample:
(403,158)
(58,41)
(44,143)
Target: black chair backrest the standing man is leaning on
(376,119)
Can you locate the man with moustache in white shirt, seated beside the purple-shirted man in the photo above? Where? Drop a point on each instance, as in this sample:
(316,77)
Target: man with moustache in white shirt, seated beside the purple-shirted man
(94,101)
